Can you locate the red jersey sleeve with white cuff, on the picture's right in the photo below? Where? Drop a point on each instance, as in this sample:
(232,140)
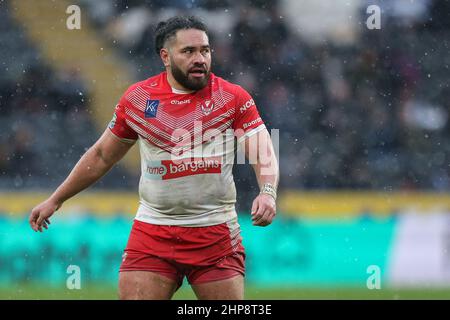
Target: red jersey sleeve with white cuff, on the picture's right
(247,119)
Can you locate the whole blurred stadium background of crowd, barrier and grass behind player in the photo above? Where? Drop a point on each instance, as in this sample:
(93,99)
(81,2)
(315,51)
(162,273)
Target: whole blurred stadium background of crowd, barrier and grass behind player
(364,141)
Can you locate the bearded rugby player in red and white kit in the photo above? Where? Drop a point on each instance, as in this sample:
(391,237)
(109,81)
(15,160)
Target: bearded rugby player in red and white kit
(185,121)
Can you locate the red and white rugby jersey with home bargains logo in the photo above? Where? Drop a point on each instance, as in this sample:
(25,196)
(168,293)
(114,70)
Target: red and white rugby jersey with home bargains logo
(187,146)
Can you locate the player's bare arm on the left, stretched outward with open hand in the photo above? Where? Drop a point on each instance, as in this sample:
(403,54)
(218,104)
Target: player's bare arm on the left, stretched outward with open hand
(95,163)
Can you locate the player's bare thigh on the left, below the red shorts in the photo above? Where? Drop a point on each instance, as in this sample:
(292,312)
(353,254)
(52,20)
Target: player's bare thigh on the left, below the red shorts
(145,285)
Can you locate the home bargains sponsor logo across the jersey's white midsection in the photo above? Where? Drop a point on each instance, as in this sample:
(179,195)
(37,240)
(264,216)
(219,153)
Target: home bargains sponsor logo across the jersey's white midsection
(169,169)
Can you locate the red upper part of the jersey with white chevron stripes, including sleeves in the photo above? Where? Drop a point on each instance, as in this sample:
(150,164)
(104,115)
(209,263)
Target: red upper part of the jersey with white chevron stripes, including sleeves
(220,105)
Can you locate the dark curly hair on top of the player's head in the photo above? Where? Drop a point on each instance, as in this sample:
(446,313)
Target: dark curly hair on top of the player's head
(167,29)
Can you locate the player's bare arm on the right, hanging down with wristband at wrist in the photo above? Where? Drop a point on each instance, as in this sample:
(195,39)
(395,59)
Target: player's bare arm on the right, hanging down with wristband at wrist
(261,154)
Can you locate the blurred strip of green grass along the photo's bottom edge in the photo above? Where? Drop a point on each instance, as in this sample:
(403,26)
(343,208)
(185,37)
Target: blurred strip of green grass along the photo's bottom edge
(102,292)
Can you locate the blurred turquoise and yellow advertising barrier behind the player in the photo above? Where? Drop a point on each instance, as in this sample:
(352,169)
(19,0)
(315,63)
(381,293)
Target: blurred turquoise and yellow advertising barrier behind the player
(406,247)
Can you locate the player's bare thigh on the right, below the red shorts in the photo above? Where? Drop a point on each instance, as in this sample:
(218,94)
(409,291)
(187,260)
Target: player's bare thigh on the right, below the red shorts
(228,289)
